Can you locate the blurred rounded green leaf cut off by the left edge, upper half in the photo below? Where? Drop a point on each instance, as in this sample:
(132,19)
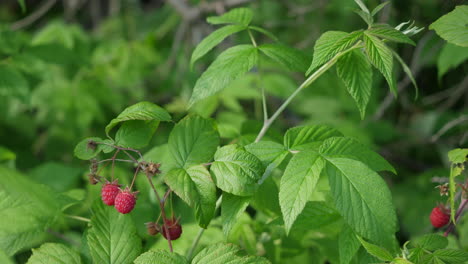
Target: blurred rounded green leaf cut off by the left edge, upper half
(13,83)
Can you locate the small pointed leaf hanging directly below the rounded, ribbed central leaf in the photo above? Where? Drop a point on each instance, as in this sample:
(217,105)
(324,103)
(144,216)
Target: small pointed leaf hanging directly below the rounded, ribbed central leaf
(232,207)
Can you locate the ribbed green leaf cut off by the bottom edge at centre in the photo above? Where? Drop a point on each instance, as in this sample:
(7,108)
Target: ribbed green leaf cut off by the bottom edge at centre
(225,253)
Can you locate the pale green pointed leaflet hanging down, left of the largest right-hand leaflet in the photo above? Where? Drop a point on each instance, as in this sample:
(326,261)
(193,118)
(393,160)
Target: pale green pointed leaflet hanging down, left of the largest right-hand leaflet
(297,184)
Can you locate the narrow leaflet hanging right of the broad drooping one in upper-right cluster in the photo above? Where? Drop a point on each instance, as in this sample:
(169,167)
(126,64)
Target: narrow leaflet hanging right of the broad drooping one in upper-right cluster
(381,57)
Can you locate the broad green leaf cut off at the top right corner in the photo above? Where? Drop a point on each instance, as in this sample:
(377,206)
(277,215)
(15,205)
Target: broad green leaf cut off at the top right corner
(452,26)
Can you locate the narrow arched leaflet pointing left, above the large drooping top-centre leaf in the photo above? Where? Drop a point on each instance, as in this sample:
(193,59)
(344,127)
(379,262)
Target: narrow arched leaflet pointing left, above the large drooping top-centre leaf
(212,40)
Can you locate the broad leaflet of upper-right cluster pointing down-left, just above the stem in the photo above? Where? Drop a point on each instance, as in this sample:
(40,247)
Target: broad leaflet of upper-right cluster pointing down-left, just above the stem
(331,43)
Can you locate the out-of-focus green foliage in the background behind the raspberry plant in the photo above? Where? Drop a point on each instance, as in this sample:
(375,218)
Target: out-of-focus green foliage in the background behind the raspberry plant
(68,67)
